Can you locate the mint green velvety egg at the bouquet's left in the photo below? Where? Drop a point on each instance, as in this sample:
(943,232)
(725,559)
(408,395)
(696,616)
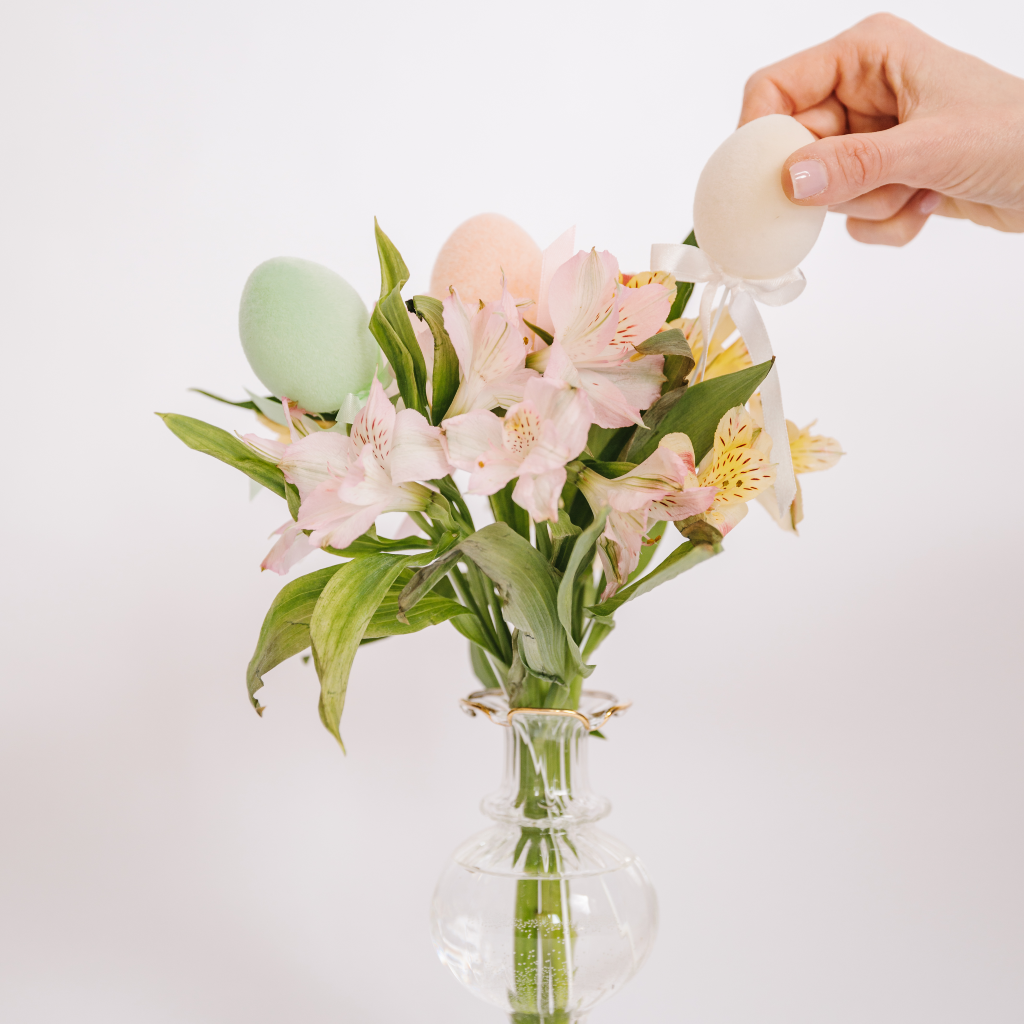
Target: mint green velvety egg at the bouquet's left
(306,333)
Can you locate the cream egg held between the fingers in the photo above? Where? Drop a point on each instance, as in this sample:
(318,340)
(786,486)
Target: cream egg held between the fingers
(742,218)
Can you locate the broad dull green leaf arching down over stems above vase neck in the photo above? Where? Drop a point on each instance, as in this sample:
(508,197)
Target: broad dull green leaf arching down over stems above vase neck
(529,594)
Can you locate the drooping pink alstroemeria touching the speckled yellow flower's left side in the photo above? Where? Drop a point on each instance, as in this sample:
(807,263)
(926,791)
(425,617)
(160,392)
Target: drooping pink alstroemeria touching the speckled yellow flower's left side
(663,487)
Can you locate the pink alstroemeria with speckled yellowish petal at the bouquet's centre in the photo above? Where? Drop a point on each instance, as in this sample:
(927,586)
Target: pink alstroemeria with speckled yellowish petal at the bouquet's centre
(534,441)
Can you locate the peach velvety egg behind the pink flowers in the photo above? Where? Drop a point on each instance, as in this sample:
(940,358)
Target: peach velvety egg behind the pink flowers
(479,252)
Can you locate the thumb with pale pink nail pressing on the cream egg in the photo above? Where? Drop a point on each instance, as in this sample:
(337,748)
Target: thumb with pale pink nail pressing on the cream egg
(840,168)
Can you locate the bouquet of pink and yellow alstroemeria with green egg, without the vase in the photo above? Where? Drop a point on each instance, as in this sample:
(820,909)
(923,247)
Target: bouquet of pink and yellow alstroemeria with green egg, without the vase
(584,404)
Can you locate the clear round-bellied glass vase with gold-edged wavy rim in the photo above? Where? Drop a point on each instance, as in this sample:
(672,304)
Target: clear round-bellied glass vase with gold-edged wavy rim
(543,915)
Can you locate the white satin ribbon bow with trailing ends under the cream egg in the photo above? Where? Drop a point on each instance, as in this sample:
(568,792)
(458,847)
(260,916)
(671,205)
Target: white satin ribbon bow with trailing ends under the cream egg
(691,264)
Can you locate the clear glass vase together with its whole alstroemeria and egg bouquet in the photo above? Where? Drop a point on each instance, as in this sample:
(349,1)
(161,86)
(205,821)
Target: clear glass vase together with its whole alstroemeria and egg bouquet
(598,419)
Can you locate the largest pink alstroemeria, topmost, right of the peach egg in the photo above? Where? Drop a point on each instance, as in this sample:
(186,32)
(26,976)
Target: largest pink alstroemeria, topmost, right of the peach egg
(598,325)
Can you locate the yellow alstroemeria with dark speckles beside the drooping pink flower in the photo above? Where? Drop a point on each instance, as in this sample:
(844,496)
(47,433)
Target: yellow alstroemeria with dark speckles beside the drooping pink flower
(739,466)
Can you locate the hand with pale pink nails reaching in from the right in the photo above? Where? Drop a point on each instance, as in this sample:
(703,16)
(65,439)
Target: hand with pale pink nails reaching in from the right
(909,127)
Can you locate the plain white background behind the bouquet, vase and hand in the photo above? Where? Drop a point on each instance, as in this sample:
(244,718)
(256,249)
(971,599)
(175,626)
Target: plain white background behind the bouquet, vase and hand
(824,766)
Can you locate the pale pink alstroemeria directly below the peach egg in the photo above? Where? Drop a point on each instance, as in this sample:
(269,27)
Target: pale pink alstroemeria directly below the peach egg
(492,346)
